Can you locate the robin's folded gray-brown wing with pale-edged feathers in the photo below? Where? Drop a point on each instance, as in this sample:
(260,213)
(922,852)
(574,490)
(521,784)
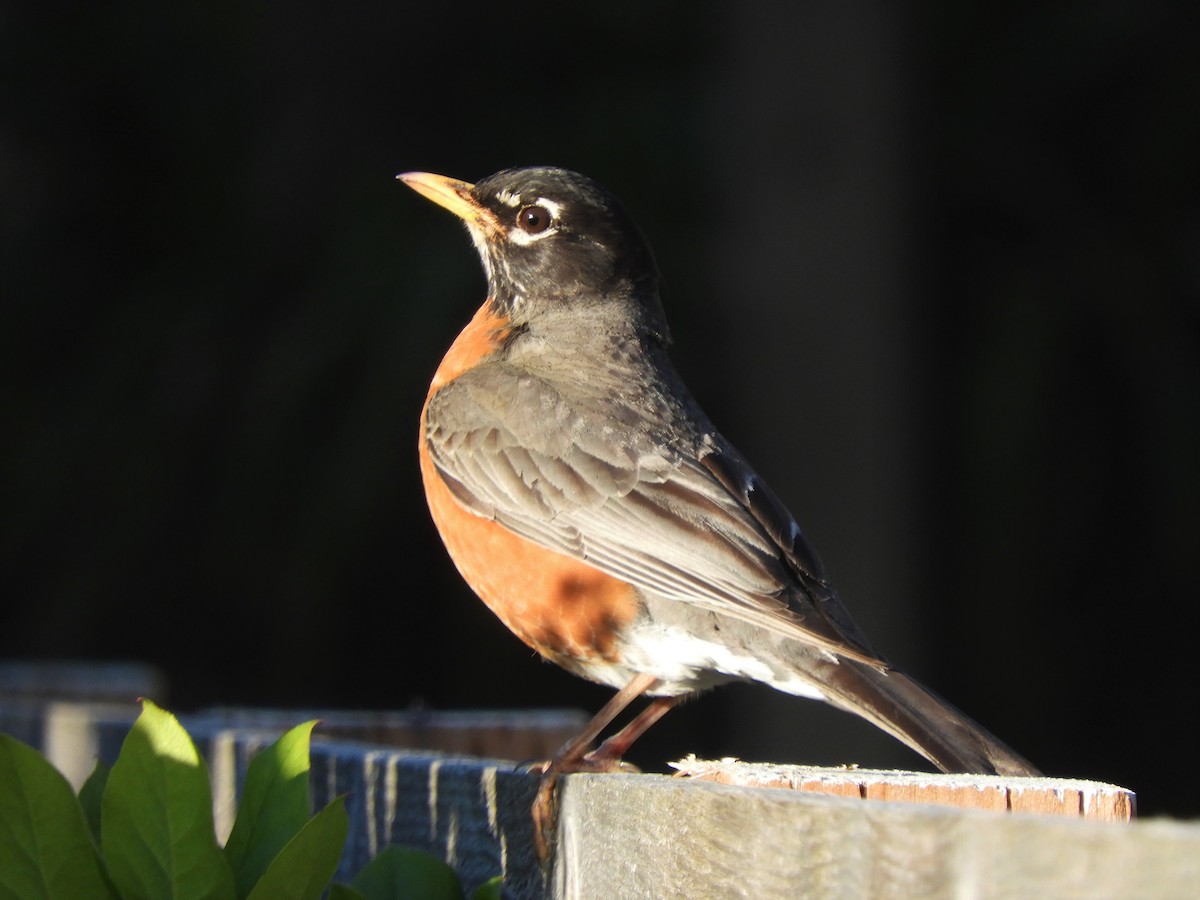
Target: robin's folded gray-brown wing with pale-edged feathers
(688,523)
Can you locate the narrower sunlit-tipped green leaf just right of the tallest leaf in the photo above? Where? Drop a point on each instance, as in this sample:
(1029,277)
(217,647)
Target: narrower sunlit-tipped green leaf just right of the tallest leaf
(274,807)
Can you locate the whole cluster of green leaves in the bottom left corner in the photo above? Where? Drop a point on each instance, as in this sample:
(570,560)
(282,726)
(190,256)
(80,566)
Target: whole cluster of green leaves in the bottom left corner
(145,830)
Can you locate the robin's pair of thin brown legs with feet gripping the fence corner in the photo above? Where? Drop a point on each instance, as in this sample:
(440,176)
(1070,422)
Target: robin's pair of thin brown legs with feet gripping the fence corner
(573,755)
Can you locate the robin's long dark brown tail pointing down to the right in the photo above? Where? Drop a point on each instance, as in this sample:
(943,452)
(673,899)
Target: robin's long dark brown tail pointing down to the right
(921,719)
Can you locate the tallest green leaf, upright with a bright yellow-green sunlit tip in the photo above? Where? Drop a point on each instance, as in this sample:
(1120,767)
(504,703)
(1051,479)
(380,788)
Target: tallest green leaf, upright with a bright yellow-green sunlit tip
(157,817)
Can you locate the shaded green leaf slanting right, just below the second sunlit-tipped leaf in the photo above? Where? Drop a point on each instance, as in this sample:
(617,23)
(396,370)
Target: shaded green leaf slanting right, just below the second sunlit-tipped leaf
(305,867)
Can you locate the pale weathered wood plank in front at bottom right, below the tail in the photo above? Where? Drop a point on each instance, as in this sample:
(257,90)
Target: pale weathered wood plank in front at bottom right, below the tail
(625,836)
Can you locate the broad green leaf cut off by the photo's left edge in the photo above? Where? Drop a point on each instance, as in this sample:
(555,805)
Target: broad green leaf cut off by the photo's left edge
(45,848)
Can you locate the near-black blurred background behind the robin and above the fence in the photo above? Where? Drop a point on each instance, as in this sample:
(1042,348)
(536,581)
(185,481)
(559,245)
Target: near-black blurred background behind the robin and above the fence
(937,273)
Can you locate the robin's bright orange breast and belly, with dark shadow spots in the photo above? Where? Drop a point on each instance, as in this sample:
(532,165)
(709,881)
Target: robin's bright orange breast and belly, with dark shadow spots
(563,608)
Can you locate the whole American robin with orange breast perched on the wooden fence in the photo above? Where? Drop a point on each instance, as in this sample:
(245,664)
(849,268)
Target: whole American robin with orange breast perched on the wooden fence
(586,497)
